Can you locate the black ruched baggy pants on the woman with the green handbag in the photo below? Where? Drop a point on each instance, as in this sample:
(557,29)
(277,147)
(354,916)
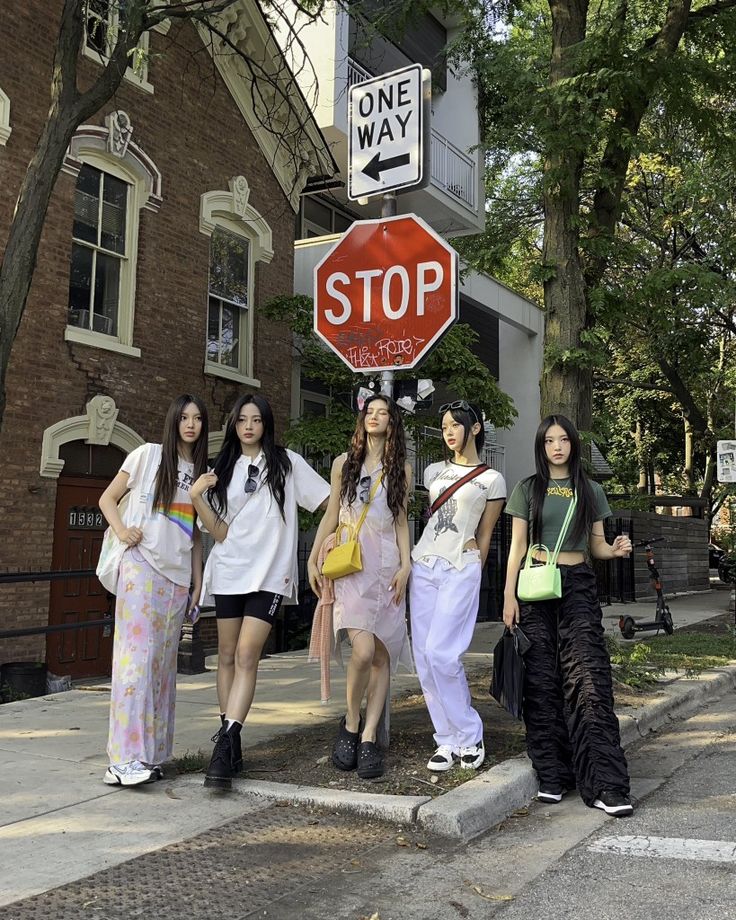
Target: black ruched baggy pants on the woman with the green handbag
(572,731)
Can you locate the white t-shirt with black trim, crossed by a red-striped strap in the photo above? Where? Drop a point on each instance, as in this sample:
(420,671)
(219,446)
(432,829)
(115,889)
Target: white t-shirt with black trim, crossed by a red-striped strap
(455,522)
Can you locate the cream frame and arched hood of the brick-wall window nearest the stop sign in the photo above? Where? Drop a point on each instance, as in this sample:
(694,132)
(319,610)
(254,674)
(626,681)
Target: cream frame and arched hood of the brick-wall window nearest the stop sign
(231,211)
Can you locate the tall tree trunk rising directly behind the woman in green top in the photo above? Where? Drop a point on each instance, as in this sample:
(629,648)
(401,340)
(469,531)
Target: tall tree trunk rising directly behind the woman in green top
(566,384)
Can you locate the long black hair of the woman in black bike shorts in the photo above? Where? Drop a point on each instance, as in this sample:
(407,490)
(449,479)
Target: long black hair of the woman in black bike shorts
(278,465)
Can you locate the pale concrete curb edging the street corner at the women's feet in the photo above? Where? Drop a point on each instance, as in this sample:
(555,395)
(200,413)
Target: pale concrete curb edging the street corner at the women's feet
(487,800)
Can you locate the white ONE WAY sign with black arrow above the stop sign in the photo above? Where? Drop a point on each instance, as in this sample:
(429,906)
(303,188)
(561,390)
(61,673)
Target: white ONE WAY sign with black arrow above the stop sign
(389,128)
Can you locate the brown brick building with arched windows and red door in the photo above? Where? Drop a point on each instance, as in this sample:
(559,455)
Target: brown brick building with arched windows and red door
(172,221)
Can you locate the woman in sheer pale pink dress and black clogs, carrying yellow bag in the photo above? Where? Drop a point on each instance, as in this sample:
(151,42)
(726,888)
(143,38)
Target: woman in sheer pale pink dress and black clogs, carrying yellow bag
(370,605)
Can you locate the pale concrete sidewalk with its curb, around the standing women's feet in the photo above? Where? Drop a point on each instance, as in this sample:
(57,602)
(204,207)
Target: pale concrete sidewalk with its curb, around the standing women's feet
(58,822)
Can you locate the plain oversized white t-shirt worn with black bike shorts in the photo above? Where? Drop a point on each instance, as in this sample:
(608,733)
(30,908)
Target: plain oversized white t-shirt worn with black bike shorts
(259,552)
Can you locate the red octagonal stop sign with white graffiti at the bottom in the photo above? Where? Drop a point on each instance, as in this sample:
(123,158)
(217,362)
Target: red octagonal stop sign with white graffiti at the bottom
(385,293)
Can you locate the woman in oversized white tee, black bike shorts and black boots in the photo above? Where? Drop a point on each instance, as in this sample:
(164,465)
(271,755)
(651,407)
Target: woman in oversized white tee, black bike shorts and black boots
(249,505)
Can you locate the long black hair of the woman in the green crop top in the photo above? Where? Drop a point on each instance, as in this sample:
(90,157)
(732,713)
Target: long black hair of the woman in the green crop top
(584,512)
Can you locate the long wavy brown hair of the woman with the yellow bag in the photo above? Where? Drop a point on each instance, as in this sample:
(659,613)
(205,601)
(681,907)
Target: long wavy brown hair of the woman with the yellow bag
(394,458)
